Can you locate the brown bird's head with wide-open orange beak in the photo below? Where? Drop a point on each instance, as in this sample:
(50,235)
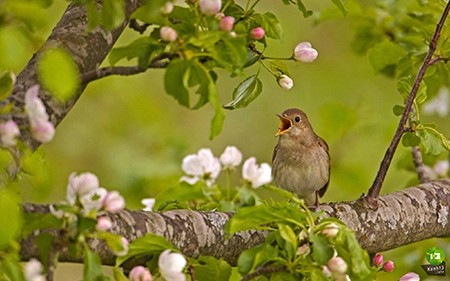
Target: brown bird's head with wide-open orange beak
(294,123)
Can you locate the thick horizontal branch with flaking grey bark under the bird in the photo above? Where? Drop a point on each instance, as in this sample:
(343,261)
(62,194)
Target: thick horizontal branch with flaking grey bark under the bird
(400,218)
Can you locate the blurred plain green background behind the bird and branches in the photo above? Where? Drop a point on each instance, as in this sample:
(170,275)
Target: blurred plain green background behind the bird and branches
(133,136)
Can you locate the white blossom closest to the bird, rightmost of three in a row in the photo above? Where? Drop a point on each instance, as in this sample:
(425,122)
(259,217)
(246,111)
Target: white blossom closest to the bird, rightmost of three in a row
(256,175)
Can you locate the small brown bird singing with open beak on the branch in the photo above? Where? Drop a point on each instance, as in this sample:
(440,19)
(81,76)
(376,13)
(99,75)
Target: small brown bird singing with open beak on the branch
(301,162)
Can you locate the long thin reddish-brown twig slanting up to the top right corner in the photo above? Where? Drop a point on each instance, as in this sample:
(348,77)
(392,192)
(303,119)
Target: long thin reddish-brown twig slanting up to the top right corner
(374,190)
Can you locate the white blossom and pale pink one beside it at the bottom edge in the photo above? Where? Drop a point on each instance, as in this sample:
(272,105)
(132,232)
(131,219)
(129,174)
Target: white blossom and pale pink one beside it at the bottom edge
(170,266)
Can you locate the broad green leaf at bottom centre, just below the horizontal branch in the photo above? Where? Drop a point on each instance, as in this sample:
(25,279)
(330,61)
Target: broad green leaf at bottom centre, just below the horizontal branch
(250,259)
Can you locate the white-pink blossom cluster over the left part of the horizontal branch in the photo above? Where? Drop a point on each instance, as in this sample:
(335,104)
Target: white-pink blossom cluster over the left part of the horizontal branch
(90,200)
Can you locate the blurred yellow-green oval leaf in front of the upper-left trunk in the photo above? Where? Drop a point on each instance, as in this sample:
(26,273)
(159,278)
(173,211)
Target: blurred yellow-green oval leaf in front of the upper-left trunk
(58,73)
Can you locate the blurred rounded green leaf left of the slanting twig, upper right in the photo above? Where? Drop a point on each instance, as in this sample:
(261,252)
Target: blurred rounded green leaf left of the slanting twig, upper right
(385,54)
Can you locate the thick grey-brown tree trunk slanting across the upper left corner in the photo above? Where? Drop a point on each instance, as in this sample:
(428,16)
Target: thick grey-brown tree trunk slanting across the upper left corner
(88,50)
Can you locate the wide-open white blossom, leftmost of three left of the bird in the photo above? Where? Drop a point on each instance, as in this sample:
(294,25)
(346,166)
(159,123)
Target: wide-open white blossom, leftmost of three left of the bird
(201,166)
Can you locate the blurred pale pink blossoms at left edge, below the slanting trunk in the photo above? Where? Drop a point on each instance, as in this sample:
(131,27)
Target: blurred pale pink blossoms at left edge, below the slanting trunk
(42,129)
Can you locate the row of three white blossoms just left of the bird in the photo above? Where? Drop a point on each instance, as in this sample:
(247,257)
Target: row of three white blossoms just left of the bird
(203,166)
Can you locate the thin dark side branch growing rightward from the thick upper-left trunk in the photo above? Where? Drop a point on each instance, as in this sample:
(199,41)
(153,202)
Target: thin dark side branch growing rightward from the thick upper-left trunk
(160,61)
